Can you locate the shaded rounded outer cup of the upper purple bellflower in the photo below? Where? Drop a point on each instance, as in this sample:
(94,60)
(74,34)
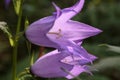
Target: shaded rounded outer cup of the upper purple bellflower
(36,32)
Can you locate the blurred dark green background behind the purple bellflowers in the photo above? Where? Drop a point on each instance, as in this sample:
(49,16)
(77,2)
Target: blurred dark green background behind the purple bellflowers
(102,14)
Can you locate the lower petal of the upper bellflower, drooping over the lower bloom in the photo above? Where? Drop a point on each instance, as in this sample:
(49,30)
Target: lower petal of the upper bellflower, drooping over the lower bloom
(69,47)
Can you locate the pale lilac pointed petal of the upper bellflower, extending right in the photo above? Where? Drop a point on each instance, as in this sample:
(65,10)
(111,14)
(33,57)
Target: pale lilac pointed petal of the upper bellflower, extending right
(73,30)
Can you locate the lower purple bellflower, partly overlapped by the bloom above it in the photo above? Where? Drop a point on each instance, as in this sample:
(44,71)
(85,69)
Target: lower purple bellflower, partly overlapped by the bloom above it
(56,64)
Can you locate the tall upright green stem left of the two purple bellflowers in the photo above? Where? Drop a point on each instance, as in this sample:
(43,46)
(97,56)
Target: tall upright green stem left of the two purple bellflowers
(15,47)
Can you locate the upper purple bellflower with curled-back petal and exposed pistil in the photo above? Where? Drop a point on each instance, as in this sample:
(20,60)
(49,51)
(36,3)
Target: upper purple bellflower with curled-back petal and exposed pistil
(58,29)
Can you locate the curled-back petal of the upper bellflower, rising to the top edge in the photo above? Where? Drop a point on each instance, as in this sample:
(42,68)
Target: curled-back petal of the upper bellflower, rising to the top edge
(68,13)
